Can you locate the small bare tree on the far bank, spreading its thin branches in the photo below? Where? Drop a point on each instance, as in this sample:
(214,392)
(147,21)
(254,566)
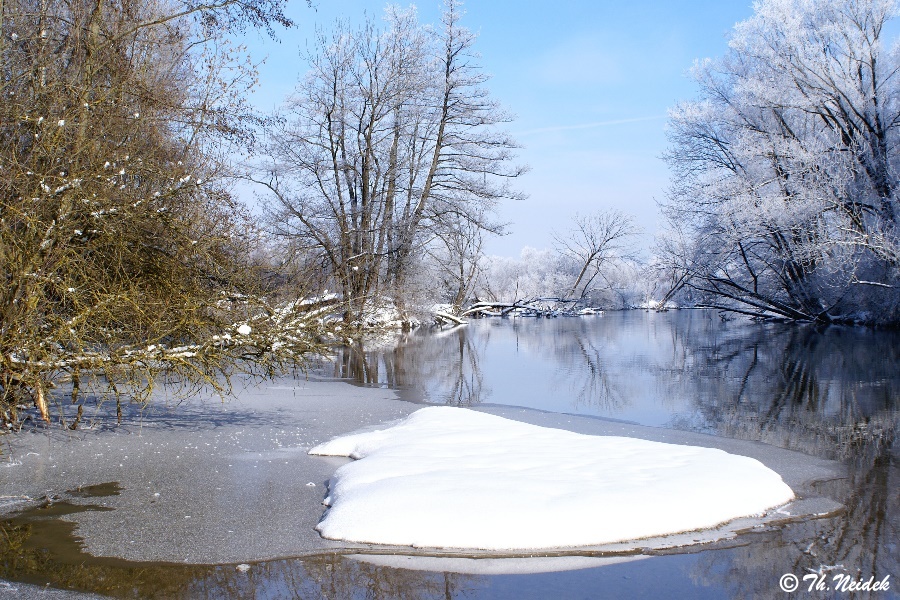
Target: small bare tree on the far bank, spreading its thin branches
(592,241)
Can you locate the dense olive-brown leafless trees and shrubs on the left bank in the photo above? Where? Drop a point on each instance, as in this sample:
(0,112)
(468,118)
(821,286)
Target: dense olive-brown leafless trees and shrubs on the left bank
(121,251)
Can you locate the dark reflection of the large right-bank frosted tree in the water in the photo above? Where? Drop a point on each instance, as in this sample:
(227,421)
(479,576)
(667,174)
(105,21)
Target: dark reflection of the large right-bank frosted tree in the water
(832,393)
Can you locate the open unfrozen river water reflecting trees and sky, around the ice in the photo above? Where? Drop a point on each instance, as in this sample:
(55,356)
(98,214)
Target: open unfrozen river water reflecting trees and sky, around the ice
(832,393)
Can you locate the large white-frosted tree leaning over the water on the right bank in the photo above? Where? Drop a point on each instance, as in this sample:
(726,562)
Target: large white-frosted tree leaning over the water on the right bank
(785,168)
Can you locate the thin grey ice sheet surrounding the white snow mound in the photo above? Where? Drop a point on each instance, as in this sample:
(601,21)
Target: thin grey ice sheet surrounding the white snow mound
(224,483)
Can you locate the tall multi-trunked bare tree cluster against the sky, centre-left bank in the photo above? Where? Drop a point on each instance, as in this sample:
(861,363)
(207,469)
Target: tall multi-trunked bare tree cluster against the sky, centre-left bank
(389,144)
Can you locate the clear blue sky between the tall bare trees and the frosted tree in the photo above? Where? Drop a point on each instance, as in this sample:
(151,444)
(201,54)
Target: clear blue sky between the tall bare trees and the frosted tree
(589,82)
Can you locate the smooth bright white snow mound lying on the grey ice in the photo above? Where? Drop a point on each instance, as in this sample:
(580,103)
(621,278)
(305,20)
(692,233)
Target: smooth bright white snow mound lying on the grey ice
(457,478)
